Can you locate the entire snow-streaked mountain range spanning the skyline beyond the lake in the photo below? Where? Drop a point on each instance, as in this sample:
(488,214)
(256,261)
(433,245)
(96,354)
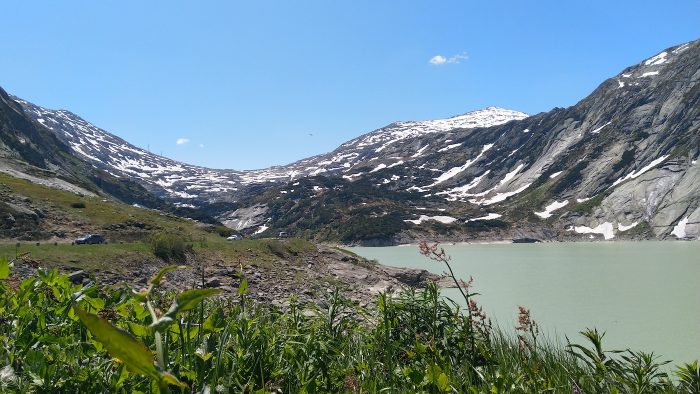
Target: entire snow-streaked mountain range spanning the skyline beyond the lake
(621,163)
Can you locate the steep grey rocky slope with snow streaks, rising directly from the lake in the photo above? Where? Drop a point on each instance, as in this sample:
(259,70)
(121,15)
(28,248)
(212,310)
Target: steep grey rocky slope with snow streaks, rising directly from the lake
(621,163)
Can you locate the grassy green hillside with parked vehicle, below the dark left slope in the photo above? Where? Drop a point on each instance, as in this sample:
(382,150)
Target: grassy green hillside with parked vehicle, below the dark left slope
(45,222)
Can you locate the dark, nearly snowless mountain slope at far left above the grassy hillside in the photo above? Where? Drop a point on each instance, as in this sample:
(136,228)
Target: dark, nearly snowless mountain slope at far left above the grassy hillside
(32,152)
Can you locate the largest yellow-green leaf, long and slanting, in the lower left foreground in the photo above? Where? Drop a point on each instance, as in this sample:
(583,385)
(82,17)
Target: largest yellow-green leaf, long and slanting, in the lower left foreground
(120,344)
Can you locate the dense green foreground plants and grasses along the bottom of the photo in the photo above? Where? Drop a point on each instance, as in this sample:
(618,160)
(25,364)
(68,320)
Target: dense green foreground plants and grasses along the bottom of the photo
(58,337)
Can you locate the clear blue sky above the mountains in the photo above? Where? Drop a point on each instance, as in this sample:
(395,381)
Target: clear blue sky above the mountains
(257,83)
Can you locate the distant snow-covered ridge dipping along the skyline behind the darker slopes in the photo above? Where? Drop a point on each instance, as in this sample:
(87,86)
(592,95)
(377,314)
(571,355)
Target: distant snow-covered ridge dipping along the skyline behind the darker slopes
(189,184)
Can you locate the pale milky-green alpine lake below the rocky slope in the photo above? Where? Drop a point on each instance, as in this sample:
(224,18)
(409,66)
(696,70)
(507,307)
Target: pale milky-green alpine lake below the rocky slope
(643,295)
